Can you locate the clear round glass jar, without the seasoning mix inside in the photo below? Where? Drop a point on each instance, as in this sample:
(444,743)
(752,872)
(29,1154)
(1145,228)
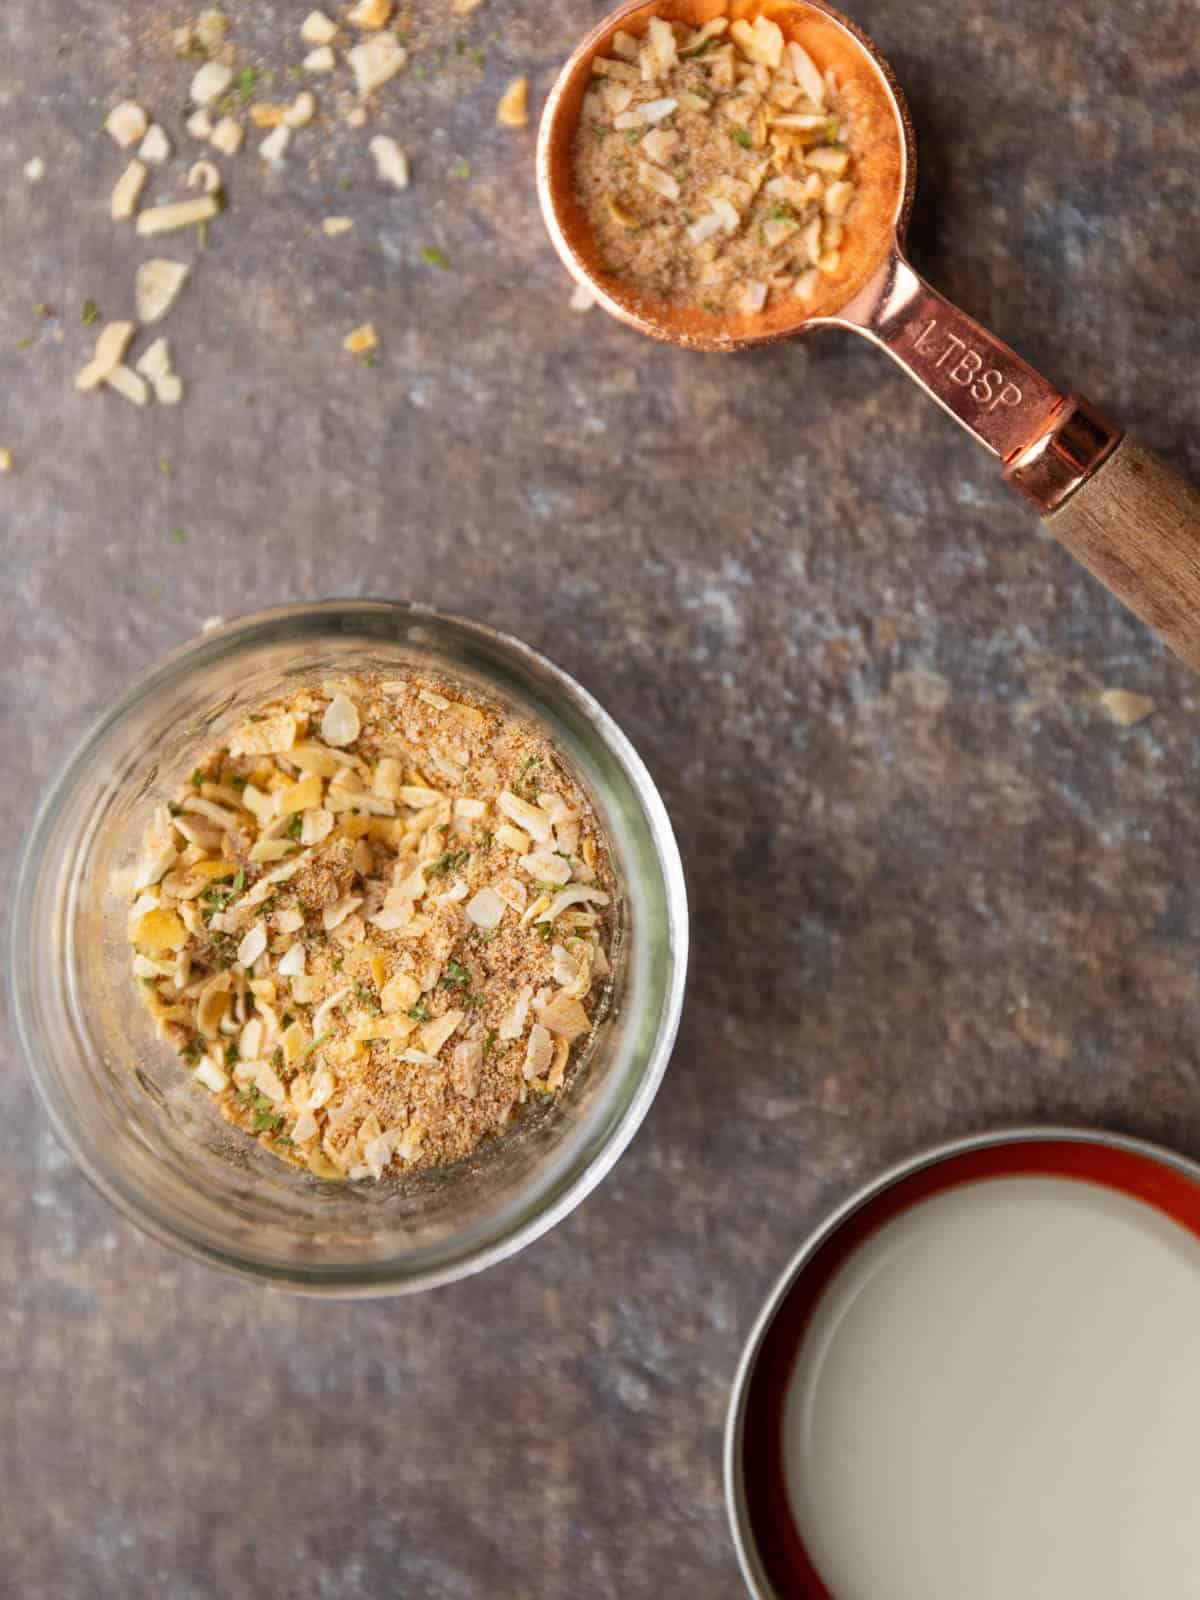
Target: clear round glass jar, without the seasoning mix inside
(154,1145)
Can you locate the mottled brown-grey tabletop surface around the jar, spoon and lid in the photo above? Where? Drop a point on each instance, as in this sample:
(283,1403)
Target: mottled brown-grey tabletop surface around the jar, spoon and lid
(935,889)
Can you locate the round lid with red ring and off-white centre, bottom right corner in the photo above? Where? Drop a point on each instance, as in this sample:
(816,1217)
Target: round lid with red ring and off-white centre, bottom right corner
(982,1377)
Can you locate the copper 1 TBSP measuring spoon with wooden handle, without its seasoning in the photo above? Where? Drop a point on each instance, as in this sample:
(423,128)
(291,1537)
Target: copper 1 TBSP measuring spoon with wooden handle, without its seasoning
(1114,505)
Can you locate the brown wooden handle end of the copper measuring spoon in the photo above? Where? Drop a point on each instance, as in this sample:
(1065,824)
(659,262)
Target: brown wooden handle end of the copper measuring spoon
(1137,526)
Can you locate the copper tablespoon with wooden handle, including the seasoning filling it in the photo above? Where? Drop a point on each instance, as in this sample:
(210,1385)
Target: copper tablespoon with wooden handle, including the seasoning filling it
(820,116)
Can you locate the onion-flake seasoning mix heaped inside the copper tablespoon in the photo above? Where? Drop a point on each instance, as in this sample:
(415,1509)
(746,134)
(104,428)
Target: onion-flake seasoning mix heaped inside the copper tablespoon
(714,164)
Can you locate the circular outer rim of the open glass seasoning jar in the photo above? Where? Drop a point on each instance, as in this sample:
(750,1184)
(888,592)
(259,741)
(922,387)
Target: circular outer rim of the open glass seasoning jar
(593,1167)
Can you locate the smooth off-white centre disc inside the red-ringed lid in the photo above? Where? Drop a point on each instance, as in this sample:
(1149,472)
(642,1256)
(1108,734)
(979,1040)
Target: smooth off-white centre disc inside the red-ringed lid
(999,1399)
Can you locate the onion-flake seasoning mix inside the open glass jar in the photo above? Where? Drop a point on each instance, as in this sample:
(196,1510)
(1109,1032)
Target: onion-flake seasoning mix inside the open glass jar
(348,943)
